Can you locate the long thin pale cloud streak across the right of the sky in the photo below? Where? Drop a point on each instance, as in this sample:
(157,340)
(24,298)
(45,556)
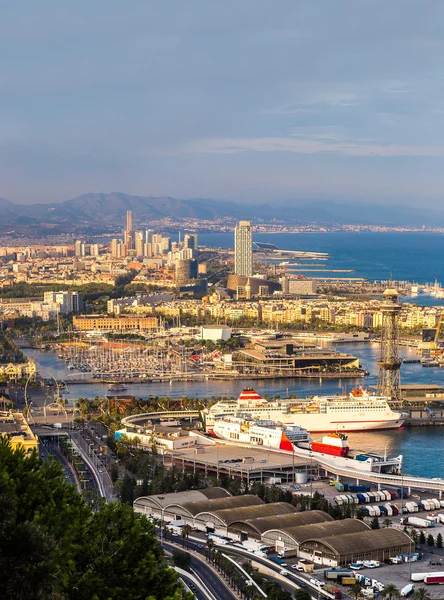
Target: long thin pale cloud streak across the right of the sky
(319,143)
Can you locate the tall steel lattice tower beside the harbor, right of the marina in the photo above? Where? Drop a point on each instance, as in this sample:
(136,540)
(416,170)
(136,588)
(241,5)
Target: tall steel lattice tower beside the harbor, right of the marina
(389,364)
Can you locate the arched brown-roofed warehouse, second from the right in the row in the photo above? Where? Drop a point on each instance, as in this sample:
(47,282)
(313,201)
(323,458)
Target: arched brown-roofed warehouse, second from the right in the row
(289,539)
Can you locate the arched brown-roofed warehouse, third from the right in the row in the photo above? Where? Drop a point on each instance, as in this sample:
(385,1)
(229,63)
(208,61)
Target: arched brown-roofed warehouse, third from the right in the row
(255,526)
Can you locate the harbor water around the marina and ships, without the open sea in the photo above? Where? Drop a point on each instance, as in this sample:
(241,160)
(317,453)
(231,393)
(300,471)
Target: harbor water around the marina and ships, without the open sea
(422,447)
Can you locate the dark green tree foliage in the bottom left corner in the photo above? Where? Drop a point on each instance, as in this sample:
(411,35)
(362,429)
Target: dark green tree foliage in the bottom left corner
(55,545)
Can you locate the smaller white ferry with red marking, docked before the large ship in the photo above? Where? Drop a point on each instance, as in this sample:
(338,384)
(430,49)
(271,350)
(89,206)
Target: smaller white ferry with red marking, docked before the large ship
(260,433)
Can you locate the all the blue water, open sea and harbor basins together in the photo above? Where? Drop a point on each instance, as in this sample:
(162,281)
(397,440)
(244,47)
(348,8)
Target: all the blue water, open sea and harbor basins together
(405,256)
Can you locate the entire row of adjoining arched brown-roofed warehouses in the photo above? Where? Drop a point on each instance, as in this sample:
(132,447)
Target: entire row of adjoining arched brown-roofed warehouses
(312,535)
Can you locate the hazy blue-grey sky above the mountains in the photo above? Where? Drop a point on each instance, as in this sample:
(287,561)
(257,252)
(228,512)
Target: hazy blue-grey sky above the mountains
(244,100)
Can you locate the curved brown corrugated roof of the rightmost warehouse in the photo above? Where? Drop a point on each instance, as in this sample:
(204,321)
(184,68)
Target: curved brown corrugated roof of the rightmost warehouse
(366,541)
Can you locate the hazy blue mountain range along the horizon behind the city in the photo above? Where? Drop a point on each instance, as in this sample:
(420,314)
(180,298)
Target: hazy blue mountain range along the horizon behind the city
(98,210)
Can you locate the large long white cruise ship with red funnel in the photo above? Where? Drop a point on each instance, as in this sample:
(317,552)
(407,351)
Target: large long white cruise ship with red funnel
(359,411)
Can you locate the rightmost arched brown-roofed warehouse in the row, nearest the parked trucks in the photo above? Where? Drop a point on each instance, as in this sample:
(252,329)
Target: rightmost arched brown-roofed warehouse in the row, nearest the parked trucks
(341,550)
